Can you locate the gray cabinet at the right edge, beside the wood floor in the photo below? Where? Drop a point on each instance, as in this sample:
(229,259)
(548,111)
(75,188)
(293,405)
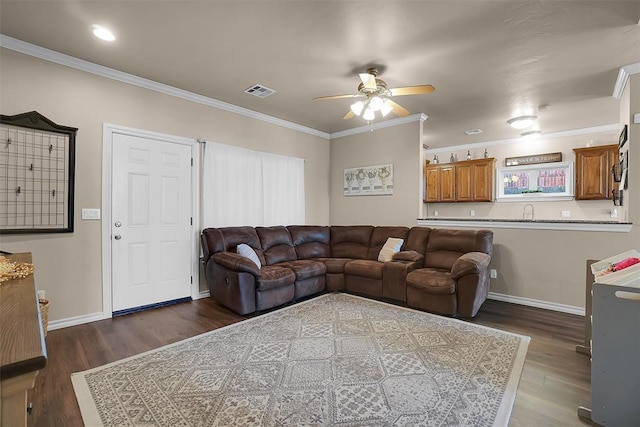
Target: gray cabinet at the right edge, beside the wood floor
(615,352)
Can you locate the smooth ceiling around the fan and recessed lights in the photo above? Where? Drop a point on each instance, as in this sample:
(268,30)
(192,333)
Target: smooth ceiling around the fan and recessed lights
(488,60)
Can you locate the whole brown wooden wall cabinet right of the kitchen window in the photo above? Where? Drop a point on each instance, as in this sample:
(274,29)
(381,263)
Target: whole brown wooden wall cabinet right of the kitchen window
(594,172)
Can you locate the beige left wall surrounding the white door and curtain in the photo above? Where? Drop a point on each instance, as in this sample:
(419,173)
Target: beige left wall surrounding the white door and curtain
(68,266)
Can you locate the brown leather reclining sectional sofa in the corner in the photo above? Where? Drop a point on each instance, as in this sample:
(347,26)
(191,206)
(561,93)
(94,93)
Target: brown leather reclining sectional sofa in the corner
(438,270)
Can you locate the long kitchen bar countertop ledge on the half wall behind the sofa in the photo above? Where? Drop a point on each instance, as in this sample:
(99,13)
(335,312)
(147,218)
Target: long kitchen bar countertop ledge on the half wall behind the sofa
(536,224)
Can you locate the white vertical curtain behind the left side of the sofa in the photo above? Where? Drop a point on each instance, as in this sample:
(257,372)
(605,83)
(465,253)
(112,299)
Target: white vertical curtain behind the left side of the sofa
(246,187)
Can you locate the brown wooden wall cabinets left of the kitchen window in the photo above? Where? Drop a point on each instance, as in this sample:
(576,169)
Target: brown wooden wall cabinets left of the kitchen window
(463,181)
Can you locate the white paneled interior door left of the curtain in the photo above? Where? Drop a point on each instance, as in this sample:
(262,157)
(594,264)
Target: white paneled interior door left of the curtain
(151,214)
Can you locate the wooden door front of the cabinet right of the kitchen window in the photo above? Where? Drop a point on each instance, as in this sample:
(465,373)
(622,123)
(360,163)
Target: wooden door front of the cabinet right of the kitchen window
(591,174)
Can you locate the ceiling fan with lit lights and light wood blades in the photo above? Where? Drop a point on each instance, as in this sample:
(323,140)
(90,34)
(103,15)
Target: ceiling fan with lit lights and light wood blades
(378,97)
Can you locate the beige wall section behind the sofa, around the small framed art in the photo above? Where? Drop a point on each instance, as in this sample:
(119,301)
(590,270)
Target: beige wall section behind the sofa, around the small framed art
(398,145)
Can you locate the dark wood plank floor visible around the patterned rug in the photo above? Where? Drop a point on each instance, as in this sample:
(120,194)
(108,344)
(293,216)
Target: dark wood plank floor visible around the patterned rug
(554,382)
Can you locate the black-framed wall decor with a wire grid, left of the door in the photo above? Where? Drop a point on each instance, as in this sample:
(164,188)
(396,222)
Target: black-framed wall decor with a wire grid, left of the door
(37,164)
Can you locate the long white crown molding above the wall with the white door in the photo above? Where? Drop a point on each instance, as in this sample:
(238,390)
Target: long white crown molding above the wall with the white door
(110,73)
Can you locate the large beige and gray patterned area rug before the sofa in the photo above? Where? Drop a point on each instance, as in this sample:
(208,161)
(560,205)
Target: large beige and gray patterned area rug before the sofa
(336,360)
